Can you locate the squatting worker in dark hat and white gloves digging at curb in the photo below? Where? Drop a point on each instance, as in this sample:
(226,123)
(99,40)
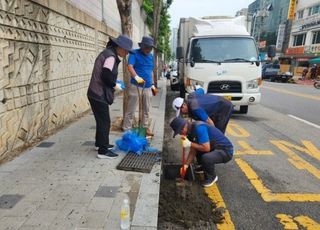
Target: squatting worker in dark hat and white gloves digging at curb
(207,143)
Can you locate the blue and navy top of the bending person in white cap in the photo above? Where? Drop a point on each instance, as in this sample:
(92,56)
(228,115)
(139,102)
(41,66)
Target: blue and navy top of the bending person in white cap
(203,106)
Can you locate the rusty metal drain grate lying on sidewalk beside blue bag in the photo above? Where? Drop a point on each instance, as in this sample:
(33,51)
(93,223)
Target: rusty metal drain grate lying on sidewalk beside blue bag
(142,163)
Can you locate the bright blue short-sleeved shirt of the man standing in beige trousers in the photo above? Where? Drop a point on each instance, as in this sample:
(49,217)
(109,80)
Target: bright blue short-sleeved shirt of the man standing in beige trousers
(143,65)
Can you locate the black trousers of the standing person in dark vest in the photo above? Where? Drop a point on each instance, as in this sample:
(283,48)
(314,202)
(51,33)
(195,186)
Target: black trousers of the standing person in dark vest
(101,114)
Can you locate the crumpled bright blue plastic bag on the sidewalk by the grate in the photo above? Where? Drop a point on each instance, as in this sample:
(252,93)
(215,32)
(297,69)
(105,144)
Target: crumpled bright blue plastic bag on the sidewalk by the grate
(131,142)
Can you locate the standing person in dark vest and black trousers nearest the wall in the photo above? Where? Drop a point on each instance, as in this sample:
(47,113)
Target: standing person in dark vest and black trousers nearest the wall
(101,89)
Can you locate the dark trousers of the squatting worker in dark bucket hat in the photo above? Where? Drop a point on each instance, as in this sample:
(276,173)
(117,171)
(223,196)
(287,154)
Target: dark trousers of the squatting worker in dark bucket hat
(208,161)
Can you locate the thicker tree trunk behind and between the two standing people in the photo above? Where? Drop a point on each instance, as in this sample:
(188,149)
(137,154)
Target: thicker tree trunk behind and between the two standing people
(125,9)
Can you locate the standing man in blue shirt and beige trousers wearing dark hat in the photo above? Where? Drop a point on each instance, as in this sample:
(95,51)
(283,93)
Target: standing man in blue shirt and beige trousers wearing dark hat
(140,66)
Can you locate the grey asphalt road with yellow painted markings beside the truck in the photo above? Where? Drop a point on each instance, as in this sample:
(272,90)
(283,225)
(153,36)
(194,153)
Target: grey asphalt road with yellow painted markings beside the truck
(273,181)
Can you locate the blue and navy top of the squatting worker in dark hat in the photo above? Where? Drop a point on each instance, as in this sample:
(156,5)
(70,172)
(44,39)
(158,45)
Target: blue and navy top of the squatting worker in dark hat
(203,133)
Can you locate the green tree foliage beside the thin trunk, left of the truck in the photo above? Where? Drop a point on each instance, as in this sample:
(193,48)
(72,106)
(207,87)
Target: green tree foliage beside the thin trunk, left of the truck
(163,43)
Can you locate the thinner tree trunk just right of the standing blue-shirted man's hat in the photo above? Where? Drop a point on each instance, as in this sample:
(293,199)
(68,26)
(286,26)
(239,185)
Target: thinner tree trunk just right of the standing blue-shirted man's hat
(157,4)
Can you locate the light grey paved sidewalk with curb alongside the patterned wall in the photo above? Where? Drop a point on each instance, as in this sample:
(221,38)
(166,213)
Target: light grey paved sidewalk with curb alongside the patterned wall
(64,186)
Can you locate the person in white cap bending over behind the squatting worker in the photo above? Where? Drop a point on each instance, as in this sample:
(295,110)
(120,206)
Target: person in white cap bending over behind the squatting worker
(214,110)
